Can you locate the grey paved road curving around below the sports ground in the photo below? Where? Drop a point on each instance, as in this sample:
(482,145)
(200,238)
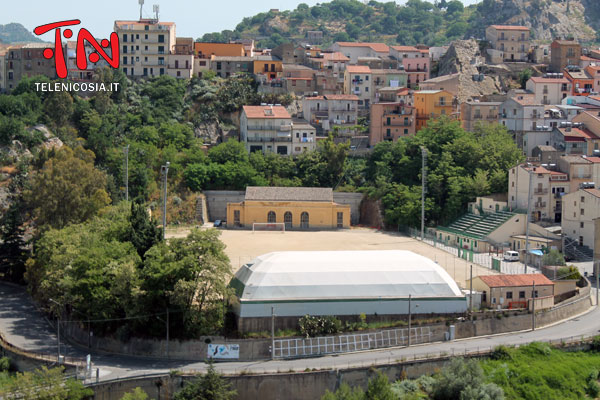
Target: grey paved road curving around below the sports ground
(22,325)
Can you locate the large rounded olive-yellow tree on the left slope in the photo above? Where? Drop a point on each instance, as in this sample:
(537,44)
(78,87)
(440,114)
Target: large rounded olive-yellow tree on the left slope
(68,189)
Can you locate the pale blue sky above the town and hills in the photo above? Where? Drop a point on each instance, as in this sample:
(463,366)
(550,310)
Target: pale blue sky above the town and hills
(193,18)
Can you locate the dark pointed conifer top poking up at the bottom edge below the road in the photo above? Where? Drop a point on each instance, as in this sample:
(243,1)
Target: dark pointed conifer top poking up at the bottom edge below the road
(210,386)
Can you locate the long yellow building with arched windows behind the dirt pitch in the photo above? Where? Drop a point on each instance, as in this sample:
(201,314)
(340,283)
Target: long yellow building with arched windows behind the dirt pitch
(296,207)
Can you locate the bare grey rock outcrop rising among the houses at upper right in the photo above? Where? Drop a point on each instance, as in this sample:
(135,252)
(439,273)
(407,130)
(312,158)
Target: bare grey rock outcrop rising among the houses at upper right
(462,58)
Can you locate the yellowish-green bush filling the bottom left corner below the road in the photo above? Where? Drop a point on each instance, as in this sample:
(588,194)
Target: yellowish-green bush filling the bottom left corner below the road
(45,384)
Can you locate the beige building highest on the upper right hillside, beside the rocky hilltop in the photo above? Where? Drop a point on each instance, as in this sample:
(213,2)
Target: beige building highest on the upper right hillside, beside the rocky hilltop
(511,40)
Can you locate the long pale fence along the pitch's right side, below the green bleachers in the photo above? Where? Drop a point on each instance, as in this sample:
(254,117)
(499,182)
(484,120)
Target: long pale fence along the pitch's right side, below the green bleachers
(487,260)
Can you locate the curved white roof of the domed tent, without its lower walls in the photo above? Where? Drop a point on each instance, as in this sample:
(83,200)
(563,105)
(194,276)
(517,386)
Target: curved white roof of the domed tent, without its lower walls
(305,275)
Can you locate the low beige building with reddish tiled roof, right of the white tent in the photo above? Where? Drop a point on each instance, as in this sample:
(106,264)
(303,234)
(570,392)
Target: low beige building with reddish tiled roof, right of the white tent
(514,291)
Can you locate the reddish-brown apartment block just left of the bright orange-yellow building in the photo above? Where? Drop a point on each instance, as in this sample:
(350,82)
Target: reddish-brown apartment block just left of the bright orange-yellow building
(391,121)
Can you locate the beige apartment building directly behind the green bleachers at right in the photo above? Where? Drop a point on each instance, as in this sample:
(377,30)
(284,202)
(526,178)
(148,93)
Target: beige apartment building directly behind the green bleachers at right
(547,185)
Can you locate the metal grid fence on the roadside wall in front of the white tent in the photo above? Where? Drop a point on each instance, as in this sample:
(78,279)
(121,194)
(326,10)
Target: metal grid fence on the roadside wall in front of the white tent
(292,348)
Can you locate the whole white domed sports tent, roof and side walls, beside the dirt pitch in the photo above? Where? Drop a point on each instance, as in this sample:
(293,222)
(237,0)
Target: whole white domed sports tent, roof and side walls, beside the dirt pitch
(341,283)
